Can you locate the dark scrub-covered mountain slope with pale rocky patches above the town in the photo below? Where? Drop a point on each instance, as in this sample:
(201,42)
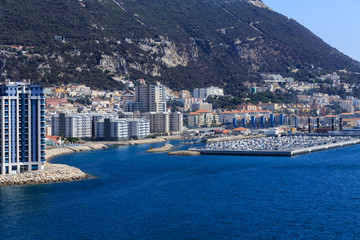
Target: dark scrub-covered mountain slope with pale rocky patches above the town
(182,43)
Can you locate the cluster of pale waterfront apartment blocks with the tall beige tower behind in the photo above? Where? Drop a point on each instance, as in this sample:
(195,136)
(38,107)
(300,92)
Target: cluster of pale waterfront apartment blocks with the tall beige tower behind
(146,115)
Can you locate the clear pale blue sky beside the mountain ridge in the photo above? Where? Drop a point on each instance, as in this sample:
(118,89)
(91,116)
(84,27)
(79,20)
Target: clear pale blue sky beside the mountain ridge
(337,22)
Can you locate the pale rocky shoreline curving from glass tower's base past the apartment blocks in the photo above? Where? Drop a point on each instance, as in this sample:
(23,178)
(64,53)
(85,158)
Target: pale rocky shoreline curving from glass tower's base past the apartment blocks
(53,173)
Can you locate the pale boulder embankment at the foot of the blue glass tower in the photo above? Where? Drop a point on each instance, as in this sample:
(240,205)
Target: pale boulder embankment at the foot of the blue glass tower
(52,173)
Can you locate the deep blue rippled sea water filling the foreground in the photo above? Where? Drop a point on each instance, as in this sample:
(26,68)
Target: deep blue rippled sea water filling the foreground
(155,196)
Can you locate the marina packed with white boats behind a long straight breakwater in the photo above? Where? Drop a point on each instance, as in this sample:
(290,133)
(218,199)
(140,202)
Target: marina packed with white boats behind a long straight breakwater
(278,146)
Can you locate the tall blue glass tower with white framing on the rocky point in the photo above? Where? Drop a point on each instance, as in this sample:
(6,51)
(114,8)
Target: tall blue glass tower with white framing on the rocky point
(22,127)
